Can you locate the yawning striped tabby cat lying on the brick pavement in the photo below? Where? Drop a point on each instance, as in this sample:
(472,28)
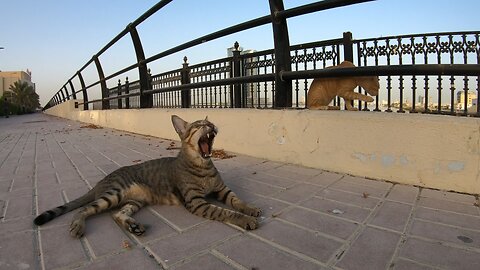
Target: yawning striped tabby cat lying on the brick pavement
(186,179)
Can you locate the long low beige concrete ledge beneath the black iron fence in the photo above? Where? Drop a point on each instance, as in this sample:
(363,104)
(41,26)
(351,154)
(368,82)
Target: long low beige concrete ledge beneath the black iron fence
(425,150)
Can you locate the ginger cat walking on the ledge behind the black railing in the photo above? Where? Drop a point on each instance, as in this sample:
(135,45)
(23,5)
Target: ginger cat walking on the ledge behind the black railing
(323,90)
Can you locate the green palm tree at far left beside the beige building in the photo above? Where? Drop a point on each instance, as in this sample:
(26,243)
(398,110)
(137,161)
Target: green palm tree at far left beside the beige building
(24,96)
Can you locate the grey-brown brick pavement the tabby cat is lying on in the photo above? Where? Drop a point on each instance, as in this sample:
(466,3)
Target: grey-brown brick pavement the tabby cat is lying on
(312,219)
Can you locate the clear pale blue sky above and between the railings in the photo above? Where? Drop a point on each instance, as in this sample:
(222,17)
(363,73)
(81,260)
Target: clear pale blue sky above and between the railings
(55,38)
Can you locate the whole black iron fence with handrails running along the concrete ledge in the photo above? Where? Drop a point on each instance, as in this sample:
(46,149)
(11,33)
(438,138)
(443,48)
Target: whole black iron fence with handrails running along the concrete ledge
(430,73)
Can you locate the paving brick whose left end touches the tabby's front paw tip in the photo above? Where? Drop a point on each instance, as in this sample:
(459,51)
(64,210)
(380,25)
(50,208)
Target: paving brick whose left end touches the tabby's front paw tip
(303,241)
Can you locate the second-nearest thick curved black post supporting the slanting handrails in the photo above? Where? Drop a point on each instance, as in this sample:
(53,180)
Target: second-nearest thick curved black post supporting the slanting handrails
(146,100)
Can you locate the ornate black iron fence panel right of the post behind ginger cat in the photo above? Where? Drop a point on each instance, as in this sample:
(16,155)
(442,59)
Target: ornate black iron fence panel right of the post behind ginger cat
(434,48)
